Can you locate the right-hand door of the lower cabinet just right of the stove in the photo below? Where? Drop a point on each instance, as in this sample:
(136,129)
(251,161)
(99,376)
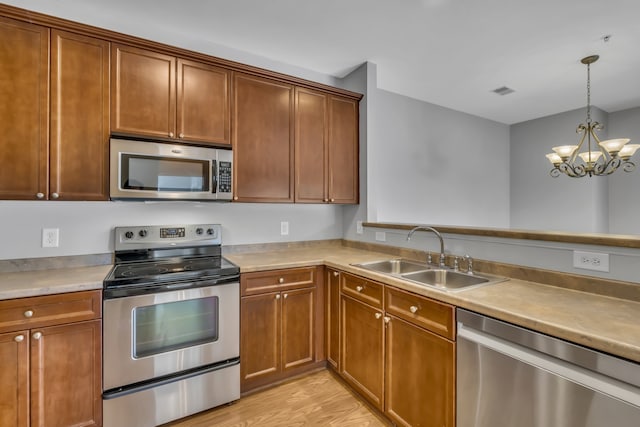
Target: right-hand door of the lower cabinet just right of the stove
(298,328)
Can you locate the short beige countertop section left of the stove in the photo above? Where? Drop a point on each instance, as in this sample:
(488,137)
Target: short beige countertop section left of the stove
(56,281)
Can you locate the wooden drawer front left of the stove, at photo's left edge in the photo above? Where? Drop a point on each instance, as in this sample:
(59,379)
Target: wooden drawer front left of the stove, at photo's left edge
(48,310)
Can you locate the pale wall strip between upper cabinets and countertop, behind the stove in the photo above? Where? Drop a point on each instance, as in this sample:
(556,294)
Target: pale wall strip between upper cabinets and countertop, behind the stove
(87,227)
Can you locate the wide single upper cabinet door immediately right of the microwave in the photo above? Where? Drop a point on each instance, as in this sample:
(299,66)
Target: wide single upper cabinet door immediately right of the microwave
(263,140)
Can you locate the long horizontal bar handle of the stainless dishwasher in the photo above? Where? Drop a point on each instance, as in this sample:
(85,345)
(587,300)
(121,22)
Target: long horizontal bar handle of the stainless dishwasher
(576,374)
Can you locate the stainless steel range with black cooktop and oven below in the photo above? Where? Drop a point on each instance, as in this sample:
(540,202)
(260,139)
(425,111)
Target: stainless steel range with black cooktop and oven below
(171,325)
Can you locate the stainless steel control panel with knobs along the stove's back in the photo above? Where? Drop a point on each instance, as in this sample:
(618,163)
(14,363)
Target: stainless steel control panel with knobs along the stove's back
(159,236)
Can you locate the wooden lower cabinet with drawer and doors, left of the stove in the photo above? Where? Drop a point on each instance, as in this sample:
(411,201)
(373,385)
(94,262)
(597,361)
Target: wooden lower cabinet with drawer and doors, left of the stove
(51,367)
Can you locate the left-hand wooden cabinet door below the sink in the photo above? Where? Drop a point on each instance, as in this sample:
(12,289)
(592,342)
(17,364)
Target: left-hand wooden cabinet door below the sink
(363,349)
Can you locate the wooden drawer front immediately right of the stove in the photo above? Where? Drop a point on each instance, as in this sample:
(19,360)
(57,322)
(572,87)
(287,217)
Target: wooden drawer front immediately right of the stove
(277,280)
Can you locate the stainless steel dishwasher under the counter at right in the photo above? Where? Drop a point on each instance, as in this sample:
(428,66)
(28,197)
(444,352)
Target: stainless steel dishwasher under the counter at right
(508,376)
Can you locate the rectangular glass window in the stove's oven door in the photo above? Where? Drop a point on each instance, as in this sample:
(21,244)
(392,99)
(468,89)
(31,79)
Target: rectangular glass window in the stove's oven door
(171,326)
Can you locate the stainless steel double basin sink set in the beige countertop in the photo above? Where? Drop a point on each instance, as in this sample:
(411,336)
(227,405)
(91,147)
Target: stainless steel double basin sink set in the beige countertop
(428,275)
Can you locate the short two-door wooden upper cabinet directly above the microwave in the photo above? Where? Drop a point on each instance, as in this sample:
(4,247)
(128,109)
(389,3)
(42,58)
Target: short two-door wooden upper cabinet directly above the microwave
(163,96)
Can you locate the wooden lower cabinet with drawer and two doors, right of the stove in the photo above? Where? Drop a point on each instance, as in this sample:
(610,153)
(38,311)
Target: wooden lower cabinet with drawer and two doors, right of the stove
(279,331)
